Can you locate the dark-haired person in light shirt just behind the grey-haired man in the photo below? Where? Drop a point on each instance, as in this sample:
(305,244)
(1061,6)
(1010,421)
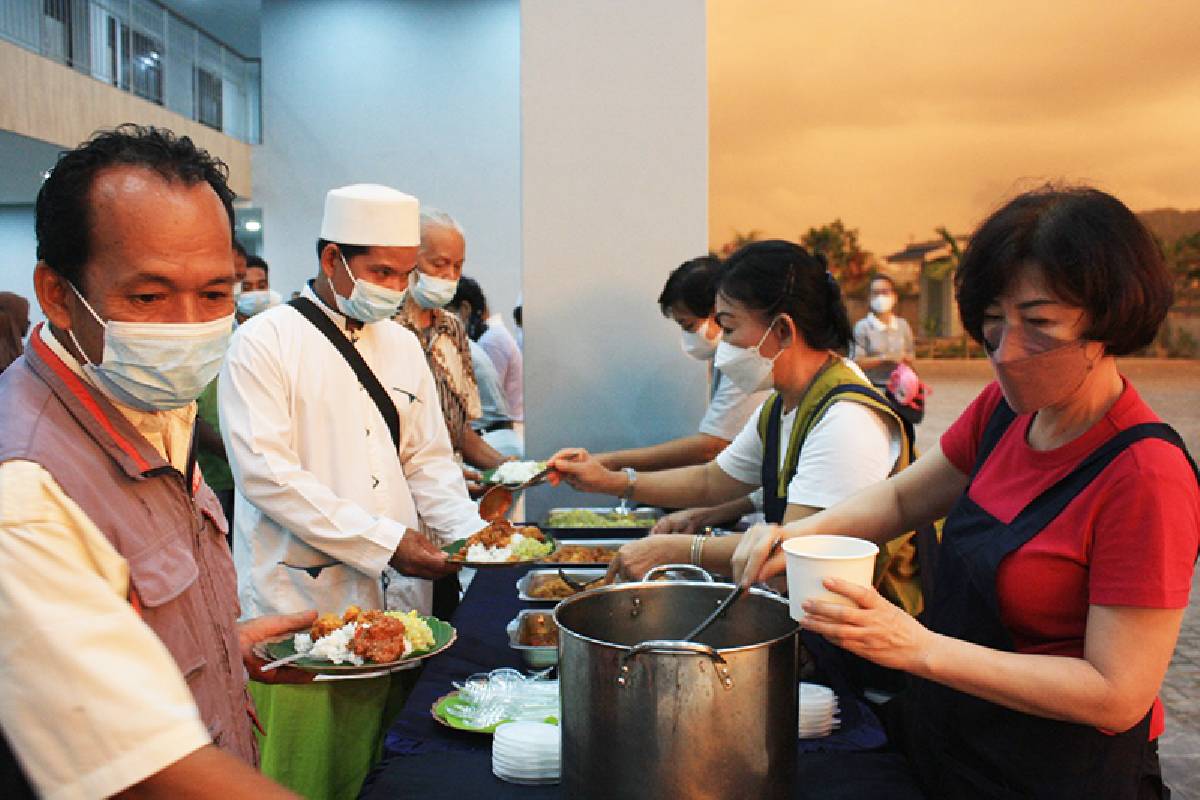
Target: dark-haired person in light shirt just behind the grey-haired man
(496,424)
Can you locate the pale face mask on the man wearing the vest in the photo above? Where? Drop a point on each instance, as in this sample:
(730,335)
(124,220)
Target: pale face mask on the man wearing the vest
(158,366)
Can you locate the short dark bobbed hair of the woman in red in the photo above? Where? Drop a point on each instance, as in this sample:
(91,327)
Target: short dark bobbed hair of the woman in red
(1094,252)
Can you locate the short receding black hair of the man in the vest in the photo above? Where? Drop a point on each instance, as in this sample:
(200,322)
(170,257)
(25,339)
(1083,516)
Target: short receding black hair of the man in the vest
(63,213)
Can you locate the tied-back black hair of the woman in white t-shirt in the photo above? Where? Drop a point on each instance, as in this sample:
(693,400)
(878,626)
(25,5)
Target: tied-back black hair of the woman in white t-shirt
(782,278)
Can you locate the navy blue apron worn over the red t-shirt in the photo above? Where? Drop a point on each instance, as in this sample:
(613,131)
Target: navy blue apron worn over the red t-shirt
(964,747)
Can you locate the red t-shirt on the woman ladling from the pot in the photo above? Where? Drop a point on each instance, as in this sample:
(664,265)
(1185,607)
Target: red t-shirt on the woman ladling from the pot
(1130,539)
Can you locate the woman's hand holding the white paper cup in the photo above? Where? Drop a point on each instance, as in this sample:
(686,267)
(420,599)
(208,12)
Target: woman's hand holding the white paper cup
(874,629)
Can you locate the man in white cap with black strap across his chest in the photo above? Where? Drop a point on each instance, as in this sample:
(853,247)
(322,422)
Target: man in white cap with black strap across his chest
(340,458)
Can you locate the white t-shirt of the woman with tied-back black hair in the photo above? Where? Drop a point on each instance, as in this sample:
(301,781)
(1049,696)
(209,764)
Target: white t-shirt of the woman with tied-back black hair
(851,448)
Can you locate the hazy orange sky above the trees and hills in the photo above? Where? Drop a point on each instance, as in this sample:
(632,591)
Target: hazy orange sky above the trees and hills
(902,117)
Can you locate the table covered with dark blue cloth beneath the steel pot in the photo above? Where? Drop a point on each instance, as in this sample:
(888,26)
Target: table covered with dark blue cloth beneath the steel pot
(424,759)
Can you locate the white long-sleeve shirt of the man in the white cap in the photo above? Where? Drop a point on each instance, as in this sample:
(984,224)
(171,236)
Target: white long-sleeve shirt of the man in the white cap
(323,497)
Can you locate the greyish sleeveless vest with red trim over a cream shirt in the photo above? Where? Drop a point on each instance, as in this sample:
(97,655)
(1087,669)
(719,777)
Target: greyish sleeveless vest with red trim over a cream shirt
(183,581)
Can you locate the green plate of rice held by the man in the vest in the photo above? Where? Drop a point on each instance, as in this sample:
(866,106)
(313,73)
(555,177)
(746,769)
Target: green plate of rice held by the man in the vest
(363,641)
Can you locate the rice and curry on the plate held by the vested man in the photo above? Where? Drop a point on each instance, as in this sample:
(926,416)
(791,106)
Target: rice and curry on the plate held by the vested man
(361,637)
